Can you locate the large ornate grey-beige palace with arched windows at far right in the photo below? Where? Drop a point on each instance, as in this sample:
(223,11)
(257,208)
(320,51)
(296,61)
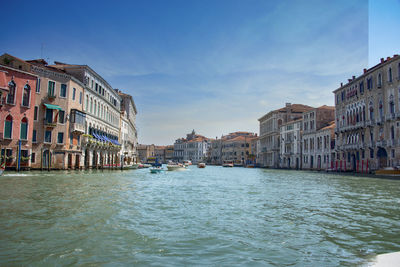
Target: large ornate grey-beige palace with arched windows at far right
(368,118)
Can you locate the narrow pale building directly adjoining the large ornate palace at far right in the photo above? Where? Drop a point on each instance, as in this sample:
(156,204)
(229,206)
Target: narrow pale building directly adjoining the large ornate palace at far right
(312,141)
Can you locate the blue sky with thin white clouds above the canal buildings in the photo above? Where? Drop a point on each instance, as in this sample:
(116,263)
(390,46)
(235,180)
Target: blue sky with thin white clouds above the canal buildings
(215,66)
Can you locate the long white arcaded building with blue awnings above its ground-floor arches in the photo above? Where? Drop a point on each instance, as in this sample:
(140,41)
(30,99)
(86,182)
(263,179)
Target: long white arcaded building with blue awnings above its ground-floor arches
(102,104)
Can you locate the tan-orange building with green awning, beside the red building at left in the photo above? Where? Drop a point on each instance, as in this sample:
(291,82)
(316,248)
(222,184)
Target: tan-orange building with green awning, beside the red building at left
(58,117)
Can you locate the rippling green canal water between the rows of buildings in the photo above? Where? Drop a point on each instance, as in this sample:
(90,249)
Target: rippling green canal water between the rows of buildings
(214,216)
